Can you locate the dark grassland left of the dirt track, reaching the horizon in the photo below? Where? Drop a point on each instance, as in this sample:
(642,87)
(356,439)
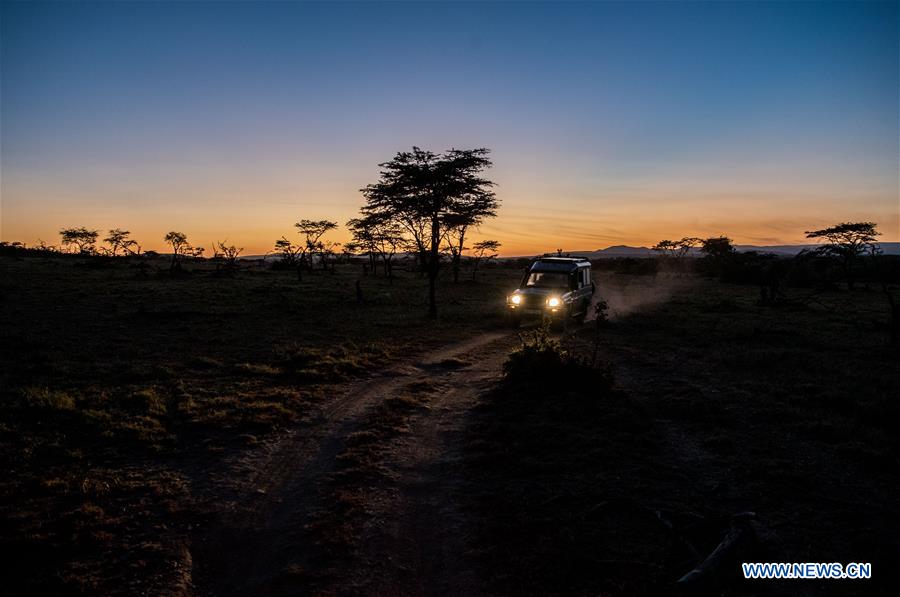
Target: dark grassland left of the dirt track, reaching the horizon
(126,392)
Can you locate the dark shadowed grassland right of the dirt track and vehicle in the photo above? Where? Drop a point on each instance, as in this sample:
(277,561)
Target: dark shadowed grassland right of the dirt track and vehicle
(720,406)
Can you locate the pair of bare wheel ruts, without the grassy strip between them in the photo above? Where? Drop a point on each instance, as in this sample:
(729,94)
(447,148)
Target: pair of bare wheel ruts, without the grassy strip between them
(264,542)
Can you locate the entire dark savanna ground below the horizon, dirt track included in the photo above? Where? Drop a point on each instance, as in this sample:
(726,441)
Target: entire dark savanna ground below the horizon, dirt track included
(211,435)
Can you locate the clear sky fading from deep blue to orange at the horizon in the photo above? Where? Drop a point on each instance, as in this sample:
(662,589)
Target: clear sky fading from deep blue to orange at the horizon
(610,123)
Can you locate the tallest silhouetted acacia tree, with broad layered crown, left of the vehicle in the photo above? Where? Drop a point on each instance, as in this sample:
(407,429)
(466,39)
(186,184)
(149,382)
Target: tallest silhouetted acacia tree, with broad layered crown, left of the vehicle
(424,191)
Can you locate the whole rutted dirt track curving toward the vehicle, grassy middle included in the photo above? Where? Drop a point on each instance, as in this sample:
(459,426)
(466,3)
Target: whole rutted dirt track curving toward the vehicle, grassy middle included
(267,541)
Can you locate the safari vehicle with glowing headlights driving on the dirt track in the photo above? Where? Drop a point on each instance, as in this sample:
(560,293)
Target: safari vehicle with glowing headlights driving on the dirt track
(555,288)
